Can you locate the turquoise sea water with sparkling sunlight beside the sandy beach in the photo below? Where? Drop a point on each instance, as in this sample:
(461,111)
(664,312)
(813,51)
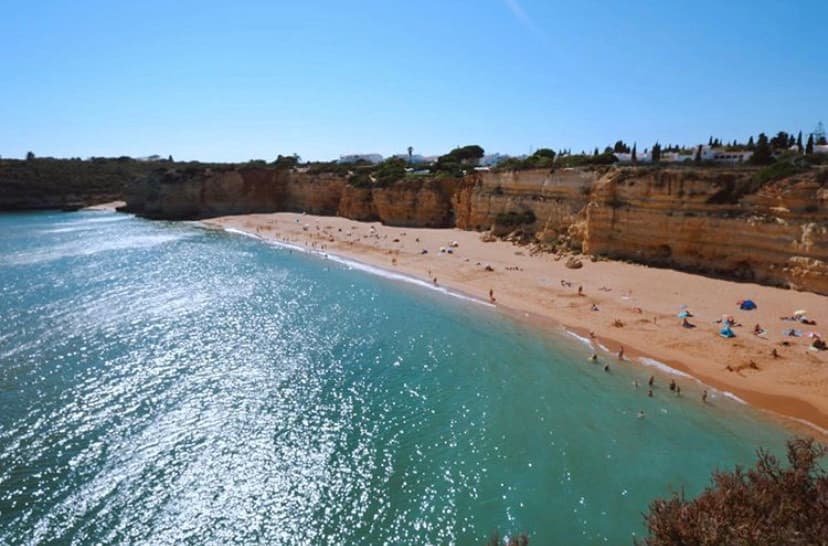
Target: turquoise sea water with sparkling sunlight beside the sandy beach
(163,383)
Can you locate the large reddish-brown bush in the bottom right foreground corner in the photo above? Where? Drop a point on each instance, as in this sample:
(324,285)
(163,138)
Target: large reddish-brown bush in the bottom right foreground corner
(765,505)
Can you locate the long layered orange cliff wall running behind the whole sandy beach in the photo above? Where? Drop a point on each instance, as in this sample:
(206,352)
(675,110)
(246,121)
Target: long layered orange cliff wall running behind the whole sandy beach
(709,220)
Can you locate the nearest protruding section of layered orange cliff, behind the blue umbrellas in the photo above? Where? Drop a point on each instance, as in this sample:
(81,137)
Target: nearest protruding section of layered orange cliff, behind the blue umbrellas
(714,221)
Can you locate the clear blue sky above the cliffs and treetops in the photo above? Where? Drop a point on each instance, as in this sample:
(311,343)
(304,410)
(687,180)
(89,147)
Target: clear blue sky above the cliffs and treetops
(231,81)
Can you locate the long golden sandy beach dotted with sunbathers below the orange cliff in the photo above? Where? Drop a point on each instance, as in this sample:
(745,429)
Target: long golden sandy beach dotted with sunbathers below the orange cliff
(620,304)
